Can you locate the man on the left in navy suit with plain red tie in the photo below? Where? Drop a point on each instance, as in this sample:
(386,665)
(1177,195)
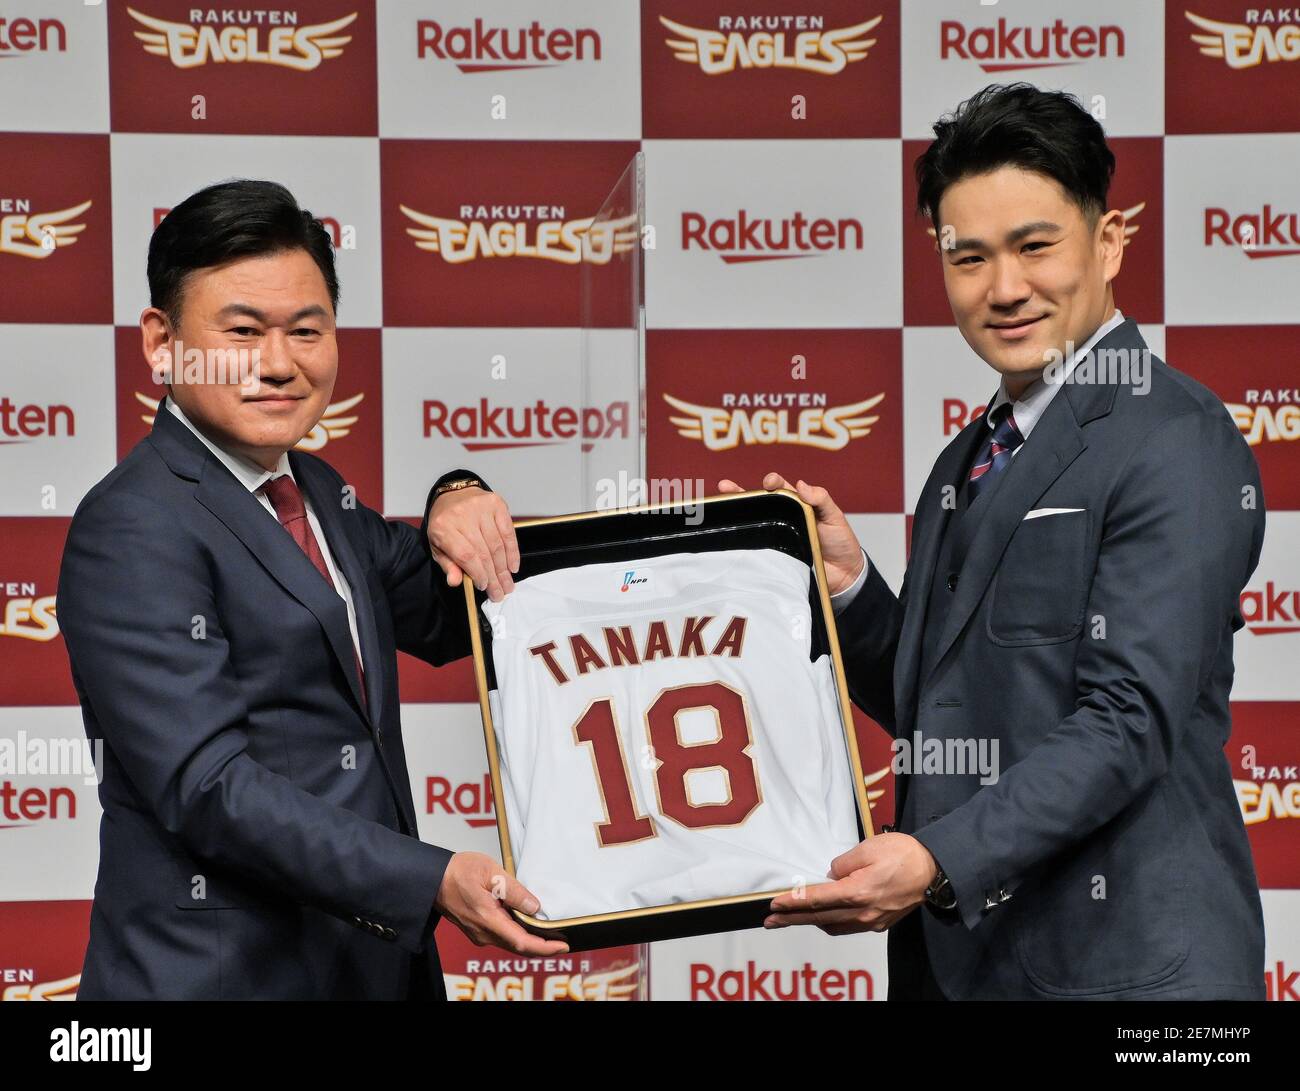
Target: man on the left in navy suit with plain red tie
(233,617)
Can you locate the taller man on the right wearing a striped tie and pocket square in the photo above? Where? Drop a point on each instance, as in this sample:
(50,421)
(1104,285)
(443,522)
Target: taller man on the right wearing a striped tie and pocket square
(1077,561)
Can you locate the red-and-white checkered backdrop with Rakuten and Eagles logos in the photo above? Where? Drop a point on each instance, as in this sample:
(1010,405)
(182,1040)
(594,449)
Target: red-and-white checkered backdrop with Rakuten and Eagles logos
(454,149)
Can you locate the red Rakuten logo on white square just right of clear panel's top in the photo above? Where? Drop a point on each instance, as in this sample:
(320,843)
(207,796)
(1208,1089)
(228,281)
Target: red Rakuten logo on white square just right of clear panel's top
(760,239)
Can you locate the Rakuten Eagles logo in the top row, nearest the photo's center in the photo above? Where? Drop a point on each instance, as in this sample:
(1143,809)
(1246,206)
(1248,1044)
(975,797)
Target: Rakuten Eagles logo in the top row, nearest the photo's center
(759,42)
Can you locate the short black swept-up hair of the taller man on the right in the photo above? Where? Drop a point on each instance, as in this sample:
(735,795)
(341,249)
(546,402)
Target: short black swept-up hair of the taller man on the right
(1025,127)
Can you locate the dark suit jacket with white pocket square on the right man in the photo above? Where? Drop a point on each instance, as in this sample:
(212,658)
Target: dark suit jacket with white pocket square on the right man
(1110,859)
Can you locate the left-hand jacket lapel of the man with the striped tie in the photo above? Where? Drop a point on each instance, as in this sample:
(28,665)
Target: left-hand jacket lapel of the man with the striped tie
(929,527)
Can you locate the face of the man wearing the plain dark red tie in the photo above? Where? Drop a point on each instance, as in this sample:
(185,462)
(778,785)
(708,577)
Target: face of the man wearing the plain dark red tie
(275,304)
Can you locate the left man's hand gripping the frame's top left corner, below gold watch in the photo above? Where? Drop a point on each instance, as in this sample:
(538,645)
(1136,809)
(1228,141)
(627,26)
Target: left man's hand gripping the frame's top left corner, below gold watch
(471,532)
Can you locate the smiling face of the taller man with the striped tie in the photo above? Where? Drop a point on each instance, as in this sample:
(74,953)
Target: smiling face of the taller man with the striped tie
(1024,270)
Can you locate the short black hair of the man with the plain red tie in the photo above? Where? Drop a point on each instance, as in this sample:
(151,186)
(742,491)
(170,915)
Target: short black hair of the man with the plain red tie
(227,222)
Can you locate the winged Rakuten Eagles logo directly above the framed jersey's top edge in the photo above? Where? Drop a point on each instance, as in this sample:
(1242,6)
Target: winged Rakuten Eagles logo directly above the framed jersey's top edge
(804,421)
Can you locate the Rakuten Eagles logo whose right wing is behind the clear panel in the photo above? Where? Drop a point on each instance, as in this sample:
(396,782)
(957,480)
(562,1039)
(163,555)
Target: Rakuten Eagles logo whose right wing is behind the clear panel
(522,231)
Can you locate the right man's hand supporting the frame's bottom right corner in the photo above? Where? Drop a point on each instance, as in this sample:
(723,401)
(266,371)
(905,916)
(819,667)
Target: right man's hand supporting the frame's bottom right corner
(877,885)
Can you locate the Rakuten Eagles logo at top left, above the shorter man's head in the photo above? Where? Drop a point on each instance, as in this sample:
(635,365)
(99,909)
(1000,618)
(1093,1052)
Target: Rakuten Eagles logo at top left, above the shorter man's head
(244,37)
